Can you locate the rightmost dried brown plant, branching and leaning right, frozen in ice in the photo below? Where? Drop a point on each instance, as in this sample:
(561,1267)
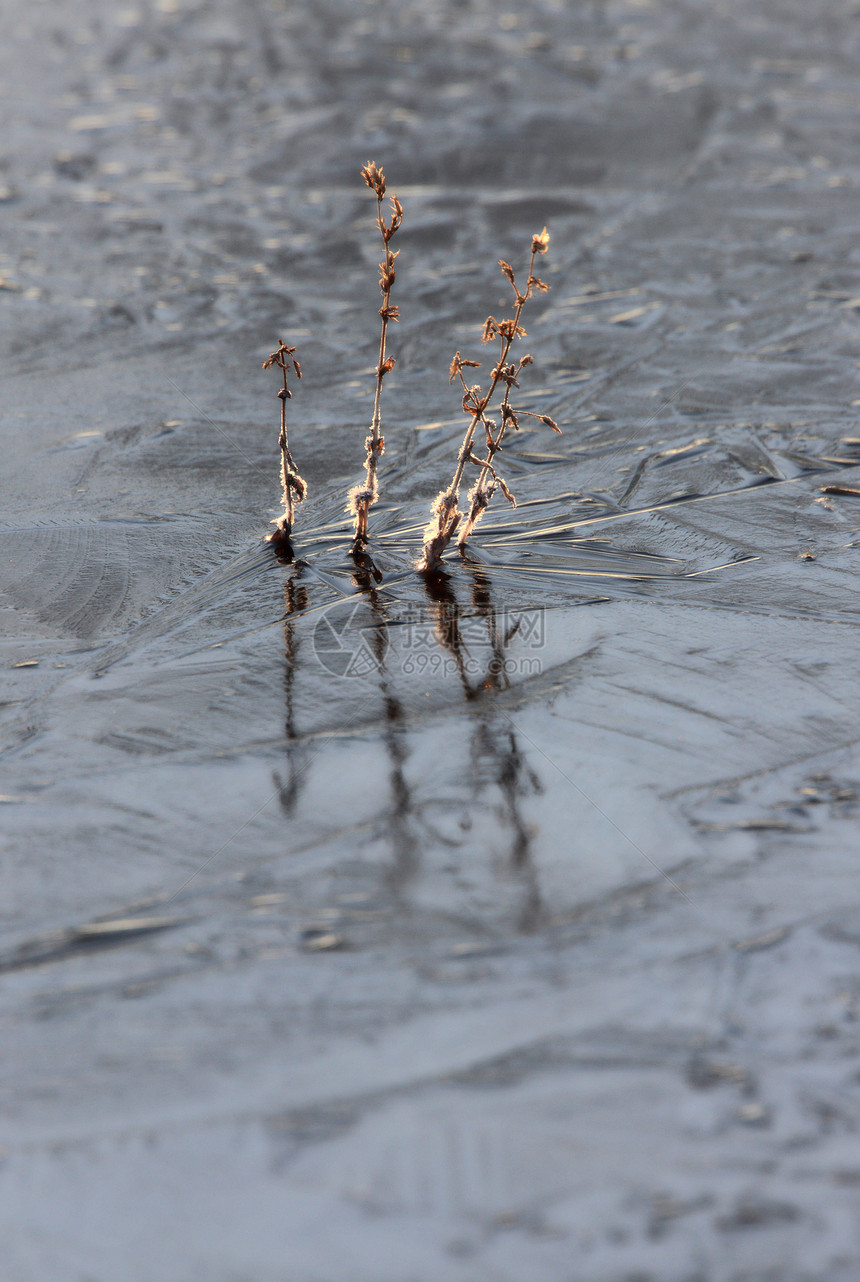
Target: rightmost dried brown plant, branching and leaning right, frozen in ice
(447,517)
